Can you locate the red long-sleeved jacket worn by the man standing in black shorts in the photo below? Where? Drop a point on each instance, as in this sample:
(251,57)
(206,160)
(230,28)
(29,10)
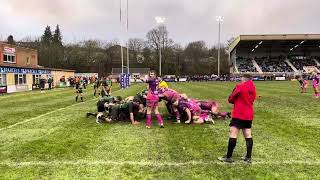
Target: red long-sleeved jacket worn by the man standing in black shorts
(243,97)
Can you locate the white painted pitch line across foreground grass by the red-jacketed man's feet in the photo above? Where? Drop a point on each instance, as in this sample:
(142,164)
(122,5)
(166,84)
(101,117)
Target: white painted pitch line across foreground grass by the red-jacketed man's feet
(150,163)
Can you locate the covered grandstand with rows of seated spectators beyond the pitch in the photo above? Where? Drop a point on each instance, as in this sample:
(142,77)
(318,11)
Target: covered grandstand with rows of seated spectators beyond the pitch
(282,54)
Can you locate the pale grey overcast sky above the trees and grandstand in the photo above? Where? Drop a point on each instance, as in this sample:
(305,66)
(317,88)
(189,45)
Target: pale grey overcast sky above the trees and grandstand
(186,20)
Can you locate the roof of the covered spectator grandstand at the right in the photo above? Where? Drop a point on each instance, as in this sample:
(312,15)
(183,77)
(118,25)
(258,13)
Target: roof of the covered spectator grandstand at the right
(282,39)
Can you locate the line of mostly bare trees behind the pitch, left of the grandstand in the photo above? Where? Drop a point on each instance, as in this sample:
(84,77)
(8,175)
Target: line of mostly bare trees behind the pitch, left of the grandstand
(99,56)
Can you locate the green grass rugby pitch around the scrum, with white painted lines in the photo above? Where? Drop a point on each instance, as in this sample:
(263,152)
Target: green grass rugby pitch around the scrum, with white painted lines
(47,136)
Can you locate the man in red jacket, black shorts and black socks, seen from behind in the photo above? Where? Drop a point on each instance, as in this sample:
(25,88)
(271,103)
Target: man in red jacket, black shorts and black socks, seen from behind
(242,98)
